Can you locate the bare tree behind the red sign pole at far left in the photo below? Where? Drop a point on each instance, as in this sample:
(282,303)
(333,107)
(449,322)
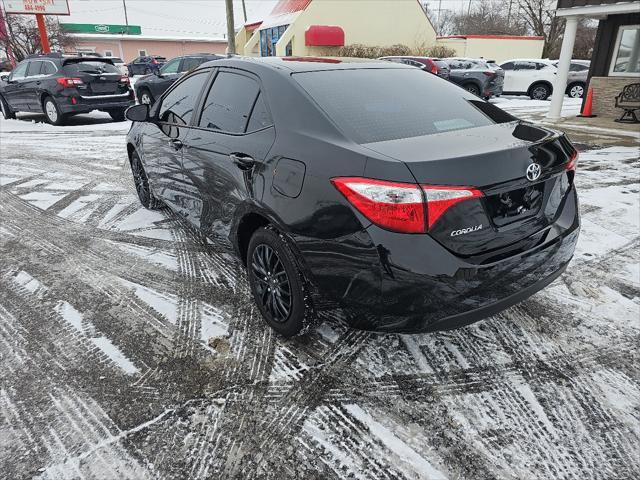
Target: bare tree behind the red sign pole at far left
(24,38)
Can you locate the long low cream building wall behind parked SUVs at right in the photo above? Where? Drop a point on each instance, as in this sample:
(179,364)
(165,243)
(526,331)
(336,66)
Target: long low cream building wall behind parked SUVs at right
(498,49)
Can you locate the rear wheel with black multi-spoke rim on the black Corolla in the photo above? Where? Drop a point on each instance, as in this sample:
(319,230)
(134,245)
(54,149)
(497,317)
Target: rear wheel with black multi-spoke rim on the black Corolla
(277,284)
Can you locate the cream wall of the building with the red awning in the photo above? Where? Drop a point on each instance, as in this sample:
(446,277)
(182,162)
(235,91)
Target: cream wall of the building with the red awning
(368,22)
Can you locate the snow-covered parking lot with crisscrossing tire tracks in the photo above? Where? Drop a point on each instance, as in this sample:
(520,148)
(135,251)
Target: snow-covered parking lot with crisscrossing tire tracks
(129,346)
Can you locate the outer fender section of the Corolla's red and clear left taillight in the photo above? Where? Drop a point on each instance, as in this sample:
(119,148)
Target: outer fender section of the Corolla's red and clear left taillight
(395,206)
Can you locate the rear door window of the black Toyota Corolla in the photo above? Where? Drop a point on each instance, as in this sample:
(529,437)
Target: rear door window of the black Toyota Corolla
(229,103)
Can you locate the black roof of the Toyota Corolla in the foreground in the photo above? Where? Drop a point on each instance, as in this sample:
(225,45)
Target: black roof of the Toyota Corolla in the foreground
(303,64)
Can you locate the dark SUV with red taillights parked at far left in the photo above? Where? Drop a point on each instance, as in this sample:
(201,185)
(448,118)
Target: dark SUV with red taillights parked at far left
(60,86)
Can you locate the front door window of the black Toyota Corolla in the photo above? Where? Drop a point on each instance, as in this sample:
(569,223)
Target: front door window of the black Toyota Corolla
(178,106)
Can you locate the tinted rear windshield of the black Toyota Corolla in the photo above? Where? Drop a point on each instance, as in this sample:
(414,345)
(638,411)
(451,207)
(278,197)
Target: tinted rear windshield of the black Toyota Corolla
(374,105)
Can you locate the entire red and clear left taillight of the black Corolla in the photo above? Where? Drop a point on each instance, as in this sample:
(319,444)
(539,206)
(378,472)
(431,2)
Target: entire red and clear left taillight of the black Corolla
(401,207)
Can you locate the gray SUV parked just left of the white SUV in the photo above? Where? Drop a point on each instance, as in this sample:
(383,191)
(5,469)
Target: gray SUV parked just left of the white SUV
(476,76)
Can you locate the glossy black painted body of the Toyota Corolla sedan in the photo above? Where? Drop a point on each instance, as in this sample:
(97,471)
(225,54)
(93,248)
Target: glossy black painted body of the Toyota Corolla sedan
(381,279)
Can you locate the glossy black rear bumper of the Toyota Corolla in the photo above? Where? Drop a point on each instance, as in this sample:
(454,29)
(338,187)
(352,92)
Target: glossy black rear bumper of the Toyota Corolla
(422,286)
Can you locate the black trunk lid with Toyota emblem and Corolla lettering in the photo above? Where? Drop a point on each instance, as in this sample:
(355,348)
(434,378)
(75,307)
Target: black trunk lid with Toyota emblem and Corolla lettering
(493,159)
